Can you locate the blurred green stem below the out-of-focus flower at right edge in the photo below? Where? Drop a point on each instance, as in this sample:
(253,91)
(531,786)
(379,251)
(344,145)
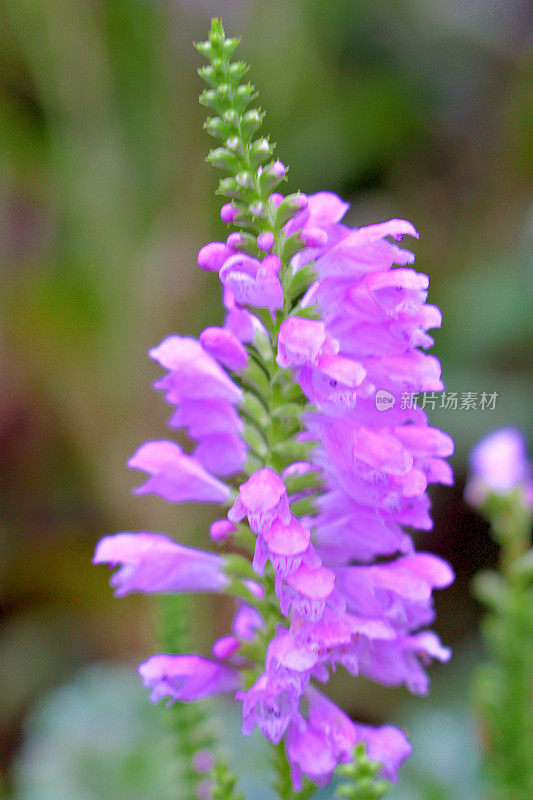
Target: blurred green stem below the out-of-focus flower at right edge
(504,688)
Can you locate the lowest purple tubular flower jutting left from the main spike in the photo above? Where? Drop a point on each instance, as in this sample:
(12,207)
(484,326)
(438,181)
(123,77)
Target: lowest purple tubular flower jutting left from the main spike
(186,677)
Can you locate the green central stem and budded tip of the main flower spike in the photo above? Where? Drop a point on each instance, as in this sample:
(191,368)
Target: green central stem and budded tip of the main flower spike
(272,406)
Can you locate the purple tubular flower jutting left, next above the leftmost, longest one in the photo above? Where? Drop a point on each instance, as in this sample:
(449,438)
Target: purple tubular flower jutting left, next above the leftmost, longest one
(176,476)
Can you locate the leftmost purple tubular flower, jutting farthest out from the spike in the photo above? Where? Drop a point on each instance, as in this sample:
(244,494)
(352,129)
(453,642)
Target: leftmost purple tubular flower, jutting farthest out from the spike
(151,562)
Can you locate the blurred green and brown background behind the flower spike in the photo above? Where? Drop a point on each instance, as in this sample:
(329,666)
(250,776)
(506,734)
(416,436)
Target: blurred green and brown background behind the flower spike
(407,108)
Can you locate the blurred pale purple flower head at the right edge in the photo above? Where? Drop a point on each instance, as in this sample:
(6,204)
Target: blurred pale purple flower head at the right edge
(499,464)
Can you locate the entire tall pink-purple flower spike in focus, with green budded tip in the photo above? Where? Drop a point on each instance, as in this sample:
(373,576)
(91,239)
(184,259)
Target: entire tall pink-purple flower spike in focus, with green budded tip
(318,484)
